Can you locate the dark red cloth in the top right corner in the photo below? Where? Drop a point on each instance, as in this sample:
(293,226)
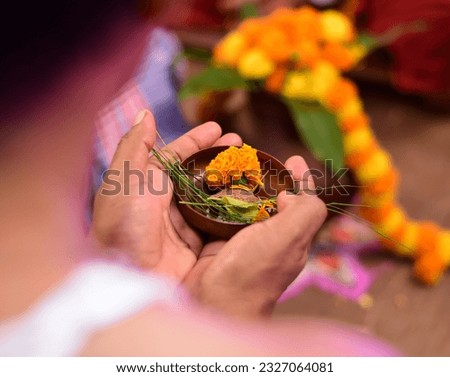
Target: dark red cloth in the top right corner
(422,60)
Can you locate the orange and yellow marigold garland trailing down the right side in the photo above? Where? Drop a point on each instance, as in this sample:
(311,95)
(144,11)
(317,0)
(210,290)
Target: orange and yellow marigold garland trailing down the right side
(300,54)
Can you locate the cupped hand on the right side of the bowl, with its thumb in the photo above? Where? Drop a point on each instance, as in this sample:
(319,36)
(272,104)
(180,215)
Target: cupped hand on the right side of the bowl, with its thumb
(246,275)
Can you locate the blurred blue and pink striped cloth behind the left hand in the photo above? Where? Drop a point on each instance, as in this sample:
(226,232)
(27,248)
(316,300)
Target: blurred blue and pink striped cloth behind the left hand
(154,88)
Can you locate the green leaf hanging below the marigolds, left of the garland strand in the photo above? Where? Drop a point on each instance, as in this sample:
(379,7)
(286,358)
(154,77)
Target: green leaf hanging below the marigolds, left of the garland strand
(319,131)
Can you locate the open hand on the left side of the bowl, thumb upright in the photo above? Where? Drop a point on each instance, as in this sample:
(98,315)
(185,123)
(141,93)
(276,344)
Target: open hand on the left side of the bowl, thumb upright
(133,209)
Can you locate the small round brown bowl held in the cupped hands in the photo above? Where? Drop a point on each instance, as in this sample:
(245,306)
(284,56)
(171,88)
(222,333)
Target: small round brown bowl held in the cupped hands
(276,179)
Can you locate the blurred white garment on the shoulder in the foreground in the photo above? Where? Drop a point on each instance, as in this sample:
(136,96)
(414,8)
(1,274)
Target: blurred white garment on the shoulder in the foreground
(95,296)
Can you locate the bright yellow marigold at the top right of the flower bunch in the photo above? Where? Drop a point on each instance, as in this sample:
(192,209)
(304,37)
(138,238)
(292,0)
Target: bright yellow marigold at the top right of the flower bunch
(336,27)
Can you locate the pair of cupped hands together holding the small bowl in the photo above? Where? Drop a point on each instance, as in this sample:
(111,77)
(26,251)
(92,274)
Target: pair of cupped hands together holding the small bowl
(134,212)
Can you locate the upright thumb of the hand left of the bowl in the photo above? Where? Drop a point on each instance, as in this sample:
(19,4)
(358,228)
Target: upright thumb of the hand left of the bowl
(135,145)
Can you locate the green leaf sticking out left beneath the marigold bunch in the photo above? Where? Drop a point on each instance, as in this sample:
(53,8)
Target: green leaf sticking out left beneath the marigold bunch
(211,79)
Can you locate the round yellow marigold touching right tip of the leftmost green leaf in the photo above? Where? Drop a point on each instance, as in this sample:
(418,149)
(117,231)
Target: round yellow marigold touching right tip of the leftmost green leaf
(255,64)
